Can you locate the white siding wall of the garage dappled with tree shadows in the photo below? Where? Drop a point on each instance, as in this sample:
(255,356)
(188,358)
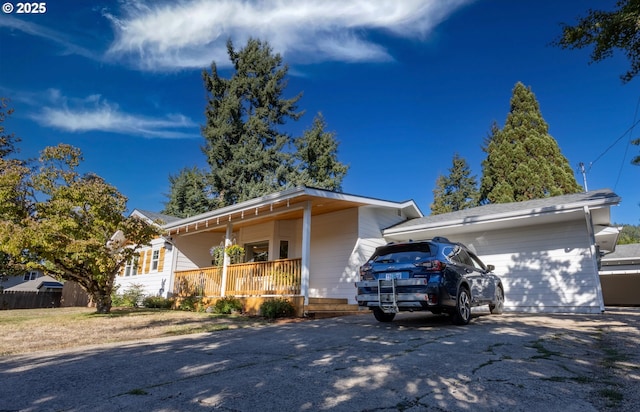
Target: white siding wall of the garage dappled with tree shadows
(544,268)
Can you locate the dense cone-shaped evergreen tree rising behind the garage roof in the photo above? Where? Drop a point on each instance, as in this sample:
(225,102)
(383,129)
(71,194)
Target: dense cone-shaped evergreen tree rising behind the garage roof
(523,161)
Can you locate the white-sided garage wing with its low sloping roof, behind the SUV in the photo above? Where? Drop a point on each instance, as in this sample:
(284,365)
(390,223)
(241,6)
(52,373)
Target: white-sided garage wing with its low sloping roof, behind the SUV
(546,251)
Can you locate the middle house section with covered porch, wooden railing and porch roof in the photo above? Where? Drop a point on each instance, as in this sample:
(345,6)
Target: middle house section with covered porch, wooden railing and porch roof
(302,242)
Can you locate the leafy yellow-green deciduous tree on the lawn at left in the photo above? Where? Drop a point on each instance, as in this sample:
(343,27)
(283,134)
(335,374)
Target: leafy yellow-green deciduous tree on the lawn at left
(70,232)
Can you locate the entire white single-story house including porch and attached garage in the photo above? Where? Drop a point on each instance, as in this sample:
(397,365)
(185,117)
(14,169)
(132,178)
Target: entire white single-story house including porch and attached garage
(308,244)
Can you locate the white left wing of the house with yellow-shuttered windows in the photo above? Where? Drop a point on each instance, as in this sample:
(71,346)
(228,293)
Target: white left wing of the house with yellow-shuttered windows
(152,267)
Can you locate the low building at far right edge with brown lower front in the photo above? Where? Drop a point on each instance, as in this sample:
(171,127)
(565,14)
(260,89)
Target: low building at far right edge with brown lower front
(620,276)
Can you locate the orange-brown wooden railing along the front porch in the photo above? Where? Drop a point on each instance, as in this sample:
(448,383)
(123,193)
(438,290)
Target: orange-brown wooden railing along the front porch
(276,277)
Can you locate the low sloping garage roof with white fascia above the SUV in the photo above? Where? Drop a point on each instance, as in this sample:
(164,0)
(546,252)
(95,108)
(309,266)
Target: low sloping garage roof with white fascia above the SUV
(502,215)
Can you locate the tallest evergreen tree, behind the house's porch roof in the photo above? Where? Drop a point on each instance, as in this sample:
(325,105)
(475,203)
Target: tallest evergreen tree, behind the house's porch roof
(244,147)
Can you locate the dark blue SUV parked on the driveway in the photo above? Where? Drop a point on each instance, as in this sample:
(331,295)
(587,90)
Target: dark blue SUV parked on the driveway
(432,275)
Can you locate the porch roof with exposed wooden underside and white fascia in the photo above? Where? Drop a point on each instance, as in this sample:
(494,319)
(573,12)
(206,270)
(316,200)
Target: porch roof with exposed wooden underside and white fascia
(287,203)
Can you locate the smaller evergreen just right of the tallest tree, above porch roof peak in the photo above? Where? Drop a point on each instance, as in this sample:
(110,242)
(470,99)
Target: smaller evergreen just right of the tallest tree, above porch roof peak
(318,164)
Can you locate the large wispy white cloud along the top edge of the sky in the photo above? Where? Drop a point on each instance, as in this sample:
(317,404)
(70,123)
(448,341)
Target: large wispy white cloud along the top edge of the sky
(191,34)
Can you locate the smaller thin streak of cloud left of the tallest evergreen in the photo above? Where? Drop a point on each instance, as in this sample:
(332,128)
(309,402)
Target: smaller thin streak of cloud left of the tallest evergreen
(94,113)
